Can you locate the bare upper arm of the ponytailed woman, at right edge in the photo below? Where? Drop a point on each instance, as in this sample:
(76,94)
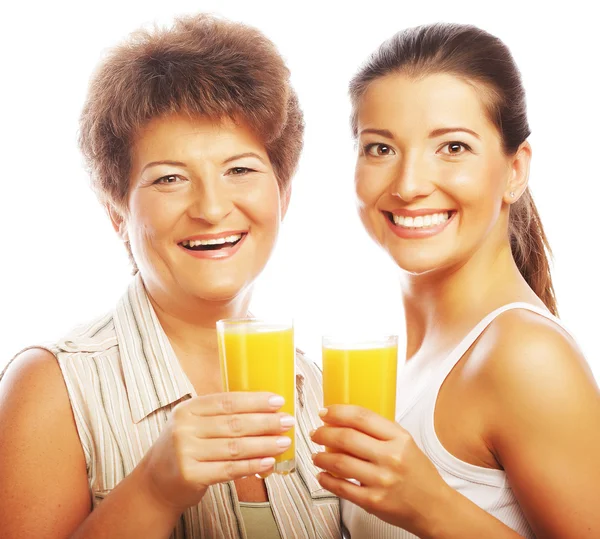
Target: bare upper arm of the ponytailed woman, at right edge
(547,436)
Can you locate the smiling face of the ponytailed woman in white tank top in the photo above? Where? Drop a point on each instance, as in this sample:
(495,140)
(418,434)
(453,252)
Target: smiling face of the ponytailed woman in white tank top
(432,179)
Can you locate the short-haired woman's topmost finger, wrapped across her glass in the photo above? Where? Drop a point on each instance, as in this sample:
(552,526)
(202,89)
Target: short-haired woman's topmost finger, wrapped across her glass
(242,402)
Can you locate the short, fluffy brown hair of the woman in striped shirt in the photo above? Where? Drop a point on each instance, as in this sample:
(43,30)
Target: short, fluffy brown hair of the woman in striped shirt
(201,66)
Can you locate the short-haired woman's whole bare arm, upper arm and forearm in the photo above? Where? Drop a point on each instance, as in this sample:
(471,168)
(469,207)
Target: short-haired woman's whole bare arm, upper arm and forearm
(44,489)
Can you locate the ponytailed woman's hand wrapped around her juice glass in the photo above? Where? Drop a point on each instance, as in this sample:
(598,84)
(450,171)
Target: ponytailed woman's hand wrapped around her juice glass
(398,483)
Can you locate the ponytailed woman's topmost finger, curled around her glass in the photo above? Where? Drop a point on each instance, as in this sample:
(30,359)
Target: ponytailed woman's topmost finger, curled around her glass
(361,419)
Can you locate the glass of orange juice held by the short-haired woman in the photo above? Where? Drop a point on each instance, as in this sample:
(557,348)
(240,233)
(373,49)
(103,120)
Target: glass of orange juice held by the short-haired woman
(259,355)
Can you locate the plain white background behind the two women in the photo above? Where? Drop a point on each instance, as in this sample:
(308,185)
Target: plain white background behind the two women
(62,263)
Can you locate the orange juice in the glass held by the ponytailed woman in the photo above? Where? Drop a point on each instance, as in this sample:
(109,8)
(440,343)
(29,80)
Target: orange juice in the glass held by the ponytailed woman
(363,374)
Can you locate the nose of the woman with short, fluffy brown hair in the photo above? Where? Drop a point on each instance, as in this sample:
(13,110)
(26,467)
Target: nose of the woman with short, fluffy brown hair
(211,200)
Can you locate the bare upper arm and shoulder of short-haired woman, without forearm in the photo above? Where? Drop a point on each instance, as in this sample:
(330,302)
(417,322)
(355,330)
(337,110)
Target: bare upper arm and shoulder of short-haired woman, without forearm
(42,457)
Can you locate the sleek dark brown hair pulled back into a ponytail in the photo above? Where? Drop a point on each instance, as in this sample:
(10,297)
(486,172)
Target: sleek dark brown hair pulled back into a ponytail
(476,56)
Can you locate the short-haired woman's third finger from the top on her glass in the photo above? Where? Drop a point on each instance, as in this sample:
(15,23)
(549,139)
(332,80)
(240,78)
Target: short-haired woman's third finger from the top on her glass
(224,449)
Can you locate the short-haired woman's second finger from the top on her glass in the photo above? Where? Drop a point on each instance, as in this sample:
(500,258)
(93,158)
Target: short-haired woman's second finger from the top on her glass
(240,425)
